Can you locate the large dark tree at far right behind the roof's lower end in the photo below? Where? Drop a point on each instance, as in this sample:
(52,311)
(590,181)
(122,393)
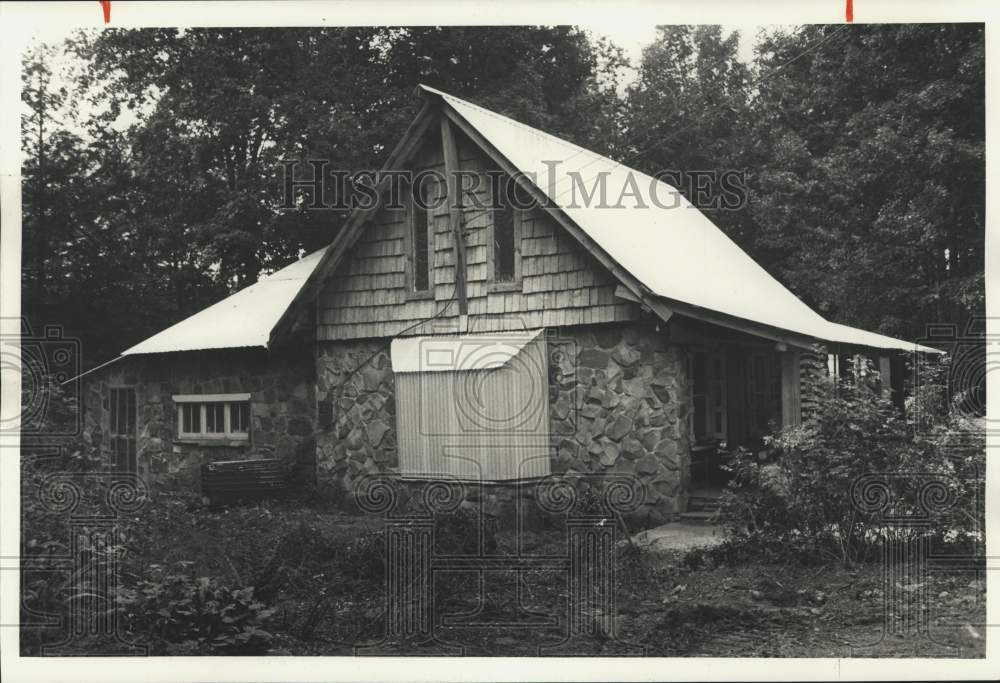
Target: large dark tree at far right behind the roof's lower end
(868,171)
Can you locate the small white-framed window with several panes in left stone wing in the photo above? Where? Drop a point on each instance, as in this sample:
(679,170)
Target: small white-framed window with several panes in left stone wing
(213,417)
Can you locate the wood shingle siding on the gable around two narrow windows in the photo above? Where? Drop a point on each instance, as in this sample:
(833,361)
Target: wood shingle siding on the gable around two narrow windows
(561,284)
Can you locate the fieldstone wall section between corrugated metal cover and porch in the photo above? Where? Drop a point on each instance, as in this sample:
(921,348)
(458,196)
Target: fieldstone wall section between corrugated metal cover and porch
(618,406)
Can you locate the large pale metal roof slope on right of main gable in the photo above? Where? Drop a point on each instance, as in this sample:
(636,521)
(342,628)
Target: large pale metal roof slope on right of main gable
(652,231)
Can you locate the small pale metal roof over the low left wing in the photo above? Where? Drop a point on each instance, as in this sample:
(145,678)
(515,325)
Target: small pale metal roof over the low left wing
(244,319)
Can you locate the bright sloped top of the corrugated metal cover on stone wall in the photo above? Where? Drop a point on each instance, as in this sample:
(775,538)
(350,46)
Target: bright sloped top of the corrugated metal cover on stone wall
(457,353)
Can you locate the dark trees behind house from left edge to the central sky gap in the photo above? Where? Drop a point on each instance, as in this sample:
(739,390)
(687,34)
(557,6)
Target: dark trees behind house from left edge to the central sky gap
(182,131)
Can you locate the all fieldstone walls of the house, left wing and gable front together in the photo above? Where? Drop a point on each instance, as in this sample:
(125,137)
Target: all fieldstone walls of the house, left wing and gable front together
(617,406)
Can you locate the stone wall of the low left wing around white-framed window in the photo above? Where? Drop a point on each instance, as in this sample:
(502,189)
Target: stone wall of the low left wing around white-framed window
(282,408)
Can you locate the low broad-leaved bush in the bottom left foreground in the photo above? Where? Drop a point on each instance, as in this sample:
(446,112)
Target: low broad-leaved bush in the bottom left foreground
(178,613)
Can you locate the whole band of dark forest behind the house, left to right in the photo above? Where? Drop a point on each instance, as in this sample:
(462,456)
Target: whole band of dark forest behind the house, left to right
(862,146)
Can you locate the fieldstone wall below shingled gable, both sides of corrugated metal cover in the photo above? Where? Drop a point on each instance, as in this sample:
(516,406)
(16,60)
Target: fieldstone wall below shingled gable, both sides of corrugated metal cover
(617,406)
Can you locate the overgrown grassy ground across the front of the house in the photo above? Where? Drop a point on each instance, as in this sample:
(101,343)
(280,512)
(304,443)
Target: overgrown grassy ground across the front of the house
(321,571)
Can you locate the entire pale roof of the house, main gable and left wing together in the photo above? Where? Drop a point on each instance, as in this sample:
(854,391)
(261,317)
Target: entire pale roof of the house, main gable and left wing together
(663,249)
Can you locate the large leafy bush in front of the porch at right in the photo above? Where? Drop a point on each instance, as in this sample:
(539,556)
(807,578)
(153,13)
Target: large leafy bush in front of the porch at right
(797,494)
